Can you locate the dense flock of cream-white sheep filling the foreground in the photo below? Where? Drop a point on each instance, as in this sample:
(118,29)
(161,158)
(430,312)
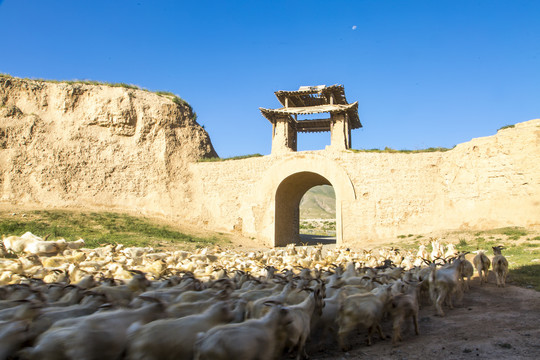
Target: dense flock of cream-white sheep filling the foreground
(59,300)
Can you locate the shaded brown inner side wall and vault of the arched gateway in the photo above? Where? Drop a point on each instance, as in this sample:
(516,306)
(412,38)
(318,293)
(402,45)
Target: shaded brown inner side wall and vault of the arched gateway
(287,205)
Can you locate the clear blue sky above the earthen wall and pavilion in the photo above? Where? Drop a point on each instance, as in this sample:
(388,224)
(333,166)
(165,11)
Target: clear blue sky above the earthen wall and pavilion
(425,73)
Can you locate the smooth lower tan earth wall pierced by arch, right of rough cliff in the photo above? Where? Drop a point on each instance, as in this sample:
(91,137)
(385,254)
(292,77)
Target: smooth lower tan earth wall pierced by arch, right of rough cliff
(485,183)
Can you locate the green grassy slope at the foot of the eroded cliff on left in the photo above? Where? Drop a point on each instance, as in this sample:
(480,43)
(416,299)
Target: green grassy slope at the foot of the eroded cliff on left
(99,228)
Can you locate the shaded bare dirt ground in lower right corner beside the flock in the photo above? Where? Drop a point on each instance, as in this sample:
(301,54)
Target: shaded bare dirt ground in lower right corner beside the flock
(492,323)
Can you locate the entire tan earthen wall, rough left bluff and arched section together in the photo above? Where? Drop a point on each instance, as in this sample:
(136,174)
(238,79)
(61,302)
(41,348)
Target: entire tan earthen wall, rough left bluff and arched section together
(114,148)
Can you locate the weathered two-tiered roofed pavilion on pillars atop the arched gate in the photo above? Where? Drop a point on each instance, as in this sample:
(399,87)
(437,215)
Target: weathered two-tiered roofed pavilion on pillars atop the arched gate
(307,100)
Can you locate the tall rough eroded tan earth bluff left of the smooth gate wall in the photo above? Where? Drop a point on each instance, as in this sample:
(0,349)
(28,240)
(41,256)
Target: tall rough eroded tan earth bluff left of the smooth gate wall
(97,146)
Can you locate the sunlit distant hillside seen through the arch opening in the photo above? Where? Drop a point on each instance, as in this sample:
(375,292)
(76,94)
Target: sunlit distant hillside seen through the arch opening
(318,203)
